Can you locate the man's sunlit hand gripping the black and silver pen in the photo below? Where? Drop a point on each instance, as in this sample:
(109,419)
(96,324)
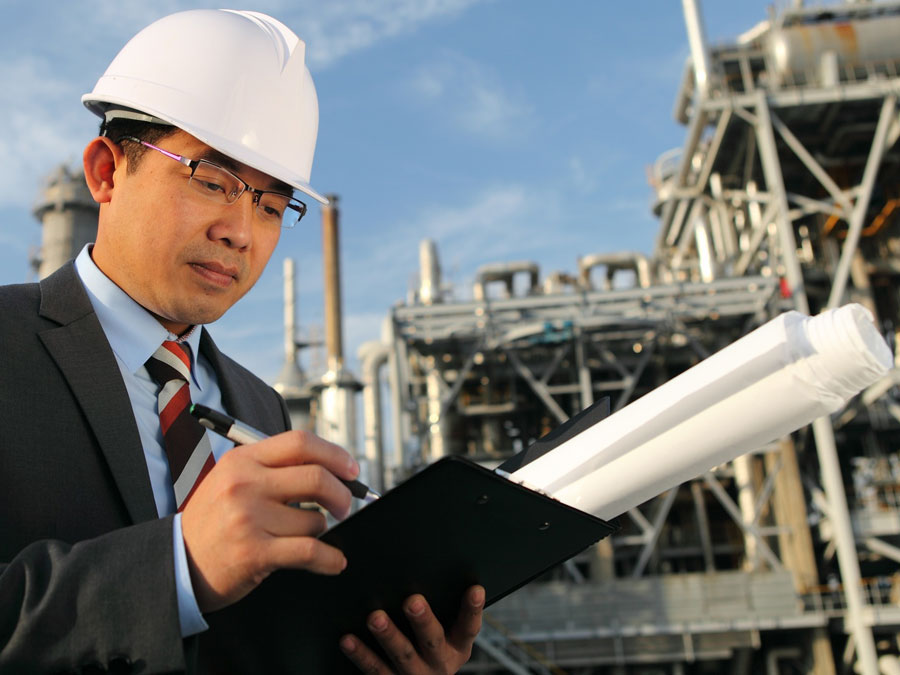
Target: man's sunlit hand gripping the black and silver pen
(238,526)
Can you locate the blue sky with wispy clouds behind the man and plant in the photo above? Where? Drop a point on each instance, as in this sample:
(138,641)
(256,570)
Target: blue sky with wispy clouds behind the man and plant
(502,129)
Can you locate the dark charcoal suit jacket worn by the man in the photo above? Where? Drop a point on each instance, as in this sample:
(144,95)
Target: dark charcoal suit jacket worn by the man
(86,566)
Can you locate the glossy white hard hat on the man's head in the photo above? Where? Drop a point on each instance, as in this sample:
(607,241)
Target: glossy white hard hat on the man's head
(236,80)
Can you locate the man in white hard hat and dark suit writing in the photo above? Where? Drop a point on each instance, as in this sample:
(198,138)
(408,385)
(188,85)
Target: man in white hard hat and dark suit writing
(113,545)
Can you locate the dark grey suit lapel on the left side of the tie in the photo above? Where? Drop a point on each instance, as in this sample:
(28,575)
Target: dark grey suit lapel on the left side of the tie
(82,353)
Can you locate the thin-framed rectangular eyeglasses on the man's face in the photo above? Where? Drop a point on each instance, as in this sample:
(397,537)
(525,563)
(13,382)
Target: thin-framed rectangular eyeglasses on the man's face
(220,185)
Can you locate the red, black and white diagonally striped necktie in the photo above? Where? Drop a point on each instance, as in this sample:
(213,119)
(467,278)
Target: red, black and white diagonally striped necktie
(187,446)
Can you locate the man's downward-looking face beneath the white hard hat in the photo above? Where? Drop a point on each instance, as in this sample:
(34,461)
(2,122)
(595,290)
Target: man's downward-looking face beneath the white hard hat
(183,257)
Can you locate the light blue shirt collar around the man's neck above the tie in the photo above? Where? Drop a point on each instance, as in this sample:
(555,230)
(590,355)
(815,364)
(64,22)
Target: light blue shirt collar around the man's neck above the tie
(133,333)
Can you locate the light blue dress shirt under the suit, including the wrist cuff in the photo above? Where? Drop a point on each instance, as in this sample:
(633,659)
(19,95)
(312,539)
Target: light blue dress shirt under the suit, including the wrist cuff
(134,334)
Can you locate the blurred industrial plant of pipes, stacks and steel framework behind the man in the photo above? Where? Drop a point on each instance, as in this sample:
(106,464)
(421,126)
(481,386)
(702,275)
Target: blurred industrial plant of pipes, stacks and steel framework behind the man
(784,196)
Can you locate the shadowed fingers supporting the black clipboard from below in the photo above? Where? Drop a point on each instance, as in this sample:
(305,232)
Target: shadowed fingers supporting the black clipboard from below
(435,652)
